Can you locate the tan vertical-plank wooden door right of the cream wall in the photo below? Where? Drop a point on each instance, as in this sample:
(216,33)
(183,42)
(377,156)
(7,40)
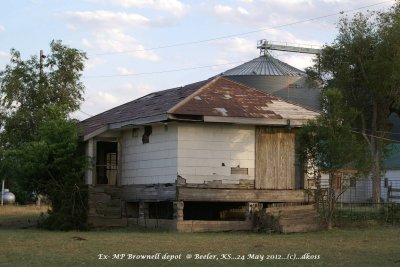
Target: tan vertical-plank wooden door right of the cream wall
(275,158)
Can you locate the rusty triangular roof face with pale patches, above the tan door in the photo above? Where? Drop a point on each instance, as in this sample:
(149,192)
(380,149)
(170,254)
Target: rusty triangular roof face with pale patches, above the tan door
(226,98)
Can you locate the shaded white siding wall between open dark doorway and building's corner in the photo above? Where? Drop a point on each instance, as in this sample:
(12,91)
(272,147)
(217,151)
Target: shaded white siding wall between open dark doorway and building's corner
(151,163)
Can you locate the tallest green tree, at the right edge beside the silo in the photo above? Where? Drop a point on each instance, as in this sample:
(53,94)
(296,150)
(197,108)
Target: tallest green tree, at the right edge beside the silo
(364,64)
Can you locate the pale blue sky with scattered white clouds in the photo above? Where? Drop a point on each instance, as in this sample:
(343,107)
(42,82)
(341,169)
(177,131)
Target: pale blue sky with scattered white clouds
(136,47)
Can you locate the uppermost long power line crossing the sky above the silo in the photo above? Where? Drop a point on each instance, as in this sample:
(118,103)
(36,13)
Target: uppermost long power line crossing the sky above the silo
(243,33)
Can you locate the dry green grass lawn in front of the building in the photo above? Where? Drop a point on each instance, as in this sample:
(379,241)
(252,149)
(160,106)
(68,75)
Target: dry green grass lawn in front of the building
(374,246)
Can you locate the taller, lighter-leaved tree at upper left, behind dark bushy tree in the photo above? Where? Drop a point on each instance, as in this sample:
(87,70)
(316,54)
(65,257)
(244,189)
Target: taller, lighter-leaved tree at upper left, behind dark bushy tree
(29,88)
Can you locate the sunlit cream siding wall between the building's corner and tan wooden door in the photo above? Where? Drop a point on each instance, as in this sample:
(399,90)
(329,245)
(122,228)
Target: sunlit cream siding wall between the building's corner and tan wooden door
(207,152)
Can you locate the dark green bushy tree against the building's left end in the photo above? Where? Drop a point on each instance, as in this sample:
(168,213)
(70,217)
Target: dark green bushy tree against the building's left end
(52,164)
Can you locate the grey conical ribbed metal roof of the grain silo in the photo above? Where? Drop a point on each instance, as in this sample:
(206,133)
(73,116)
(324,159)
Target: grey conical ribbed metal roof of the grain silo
(265,65)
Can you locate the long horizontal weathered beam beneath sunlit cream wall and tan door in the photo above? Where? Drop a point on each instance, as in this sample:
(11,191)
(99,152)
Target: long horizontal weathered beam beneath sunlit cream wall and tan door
(240,195)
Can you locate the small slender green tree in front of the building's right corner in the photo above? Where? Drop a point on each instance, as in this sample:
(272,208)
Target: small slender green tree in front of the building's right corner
(328,144)
